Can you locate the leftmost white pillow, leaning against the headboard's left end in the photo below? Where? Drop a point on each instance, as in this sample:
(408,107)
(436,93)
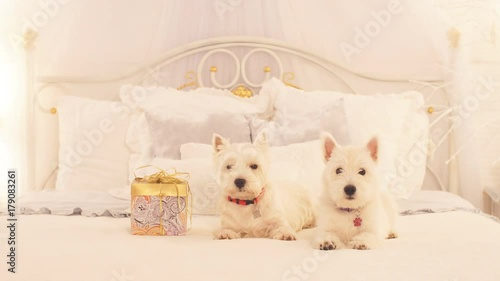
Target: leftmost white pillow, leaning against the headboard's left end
(92,150)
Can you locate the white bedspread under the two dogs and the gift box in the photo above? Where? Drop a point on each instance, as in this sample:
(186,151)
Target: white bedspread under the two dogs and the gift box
(448,246)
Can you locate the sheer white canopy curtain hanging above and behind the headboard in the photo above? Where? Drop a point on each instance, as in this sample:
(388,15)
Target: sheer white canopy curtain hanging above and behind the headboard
(384,38)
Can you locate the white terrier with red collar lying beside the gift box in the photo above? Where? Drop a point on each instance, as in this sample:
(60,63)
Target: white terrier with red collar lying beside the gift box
(252,205)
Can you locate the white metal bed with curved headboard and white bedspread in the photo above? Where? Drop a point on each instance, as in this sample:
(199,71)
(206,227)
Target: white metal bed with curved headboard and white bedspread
(86,234)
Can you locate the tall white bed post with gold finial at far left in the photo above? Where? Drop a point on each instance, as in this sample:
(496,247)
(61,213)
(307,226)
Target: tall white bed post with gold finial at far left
(29,144)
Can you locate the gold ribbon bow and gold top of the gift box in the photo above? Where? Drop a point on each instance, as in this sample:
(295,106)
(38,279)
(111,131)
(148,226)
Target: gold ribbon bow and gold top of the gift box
(163,182)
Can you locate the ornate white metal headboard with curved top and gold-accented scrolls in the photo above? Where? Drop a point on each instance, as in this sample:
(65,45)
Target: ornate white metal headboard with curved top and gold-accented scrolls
(239,83)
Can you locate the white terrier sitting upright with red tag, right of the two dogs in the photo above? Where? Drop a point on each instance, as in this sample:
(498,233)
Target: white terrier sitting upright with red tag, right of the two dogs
(355,211)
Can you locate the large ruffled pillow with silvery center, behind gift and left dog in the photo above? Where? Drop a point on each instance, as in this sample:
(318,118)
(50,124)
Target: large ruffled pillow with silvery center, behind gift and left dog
(170,112)
